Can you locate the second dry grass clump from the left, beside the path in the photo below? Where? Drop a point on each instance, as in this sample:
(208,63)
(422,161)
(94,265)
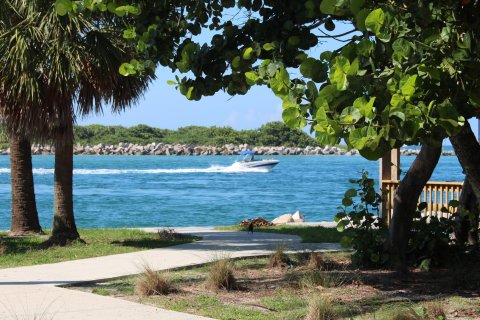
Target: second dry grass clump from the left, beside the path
(221,275)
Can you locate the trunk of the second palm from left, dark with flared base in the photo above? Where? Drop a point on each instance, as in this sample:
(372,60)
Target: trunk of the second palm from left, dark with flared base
(64,230)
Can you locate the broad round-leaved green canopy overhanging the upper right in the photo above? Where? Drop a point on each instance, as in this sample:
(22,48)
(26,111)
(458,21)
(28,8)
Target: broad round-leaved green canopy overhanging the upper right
(405,72)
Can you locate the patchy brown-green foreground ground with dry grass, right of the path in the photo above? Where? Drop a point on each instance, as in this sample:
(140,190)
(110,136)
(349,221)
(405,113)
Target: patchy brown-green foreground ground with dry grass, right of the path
(284,293)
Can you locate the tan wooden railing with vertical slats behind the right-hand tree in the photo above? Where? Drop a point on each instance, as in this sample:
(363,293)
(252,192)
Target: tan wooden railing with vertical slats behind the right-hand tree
(435,194)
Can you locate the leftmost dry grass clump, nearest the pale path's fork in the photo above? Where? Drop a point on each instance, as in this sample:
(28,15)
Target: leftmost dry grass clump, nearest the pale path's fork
(152,282)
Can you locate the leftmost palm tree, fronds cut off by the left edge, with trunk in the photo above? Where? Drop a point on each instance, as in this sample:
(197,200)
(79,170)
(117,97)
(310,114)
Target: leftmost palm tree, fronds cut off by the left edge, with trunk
(24,211)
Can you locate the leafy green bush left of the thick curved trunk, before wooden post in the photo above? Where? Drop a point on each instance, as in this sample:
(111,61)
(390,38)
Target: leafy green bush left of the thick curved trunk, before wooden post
(367,234)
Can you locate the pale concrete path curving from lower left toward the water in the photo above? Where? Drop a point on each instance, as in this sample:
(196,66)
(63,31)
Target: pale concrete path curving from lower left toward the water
(32,293)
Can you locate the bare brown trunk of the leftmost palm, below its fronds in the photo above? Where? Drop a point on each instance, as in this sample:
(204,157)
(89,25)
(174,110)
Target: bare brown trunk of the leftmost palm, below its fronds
(24,208)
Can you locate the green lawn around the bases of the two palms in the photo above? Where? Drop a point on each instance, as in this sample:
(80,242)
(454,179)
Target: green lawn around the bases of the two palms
(26,251)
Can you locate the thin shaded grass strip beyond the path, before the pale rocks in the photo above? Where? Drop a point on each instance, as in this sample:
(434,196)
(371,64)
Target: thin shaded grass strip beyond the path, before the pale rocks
(307,233)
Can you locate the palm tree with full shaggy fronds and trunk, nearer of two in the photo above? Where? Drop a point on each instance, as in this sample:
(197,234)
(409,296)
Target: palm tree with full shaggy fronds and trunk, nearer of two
(73,70)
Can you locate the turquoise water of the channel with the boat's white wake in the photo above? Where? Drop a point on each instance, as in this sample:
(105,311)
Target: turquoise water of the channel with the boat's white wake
(133,191)
